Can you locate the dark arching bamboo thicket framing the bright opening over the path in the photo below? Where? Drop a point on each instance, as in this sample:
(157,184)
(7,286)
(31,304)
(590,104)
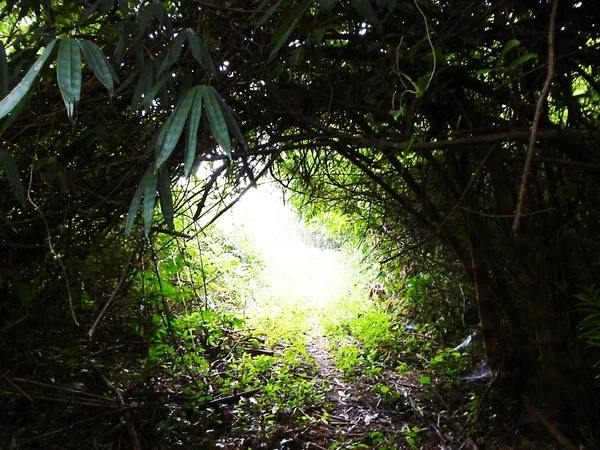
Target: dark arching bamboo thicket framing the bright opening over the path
(462,135)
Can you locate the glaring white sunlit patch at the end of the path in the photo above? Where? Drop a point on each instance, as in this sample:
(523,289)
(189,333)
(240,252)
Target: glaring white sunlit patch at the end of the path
(301,283)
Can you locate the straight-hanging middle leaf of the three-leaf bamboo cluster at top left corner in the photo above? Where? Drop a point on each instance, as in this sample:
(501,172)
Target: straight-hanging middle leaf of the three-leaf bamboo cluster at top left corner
(68,69)
